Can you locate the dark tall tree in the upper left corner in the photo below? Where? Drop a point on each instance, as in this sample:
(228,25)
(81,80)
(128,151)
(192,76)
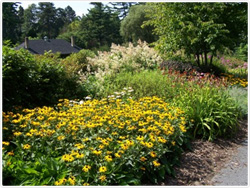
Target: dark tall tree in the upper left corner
(11,22)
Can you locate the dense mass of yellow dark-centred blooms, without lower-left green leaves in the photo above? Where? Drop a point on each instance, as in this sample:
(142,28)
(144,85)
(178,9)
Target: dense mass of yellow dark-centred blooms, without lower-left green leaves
(97,136)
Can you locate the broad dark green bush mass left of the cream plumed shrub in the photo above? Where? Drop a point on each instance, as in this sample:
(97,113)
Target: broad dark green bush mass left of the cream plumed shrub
(30,81)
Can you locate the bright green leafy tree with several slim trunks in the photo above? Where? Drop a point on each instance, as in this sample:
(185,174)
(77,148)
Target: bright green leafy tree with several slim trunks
(198,28)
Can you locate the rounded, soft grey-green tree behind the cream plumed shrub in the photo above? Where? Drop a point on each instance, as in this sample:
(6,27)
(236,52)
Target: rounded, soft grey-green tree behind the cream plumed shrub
(131,26)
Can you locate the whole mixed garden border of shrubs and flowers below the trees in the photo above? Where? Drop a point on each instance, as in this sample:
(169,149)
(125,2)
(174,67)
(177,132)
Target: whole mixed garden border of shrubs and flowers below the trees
(131,137)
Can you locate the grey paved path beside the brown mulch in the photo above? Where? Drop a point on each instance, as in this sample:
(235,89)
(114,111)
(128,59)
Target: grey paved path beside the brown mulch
(235,172)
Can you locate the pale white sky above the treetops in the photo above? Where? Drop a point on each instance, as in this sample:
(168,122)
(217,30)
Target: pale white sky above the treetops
(80,7)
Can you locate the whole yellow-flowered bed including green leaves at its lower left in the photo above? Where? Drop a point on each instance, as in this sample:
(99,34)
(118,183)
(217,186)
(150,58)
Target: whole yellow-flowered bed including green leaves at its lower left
(98,142)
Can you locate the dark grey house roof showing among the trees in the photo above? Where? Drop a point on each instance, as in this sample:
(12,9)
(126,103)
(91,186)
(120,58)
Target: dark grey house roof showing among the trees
(55,45)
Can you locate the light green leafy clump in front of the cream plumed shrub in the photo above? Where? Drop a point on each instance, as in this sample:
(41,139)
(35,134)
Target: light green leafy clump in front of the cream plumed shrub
(144,83)
